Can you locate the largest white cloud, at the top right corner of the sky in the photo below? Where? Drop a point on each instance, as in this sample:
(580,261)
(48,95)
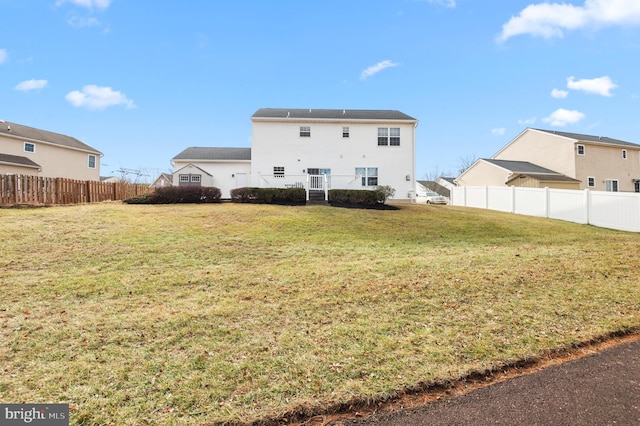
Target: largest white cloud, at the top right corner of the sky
(550,20)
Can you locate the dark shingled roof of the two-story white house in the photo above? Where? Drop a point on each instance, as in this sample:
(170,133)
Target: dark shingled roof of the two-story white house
(332,114)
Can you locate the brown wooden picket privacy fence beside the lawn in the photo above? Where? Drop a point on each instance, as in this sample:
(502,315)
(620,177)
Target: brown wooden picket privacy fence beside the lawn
(37,190)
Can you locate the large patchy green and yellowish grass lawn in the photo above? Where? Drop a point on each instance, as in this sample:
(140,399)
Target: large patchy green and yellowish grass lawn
(201,314)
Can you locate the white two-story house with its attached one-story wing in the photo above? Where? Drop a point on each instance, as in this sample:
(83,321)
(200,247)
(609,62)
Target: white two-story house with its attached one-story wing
(315,149)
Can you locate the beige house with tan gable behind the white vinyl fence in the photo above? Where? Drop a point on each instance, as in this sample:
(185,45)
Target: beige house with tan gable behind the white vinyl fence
(545,158)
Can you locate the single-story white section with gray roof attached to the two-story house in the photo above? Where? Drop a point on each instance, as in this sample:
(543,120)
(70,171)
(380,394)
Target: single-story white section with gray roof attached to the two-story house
(224,168)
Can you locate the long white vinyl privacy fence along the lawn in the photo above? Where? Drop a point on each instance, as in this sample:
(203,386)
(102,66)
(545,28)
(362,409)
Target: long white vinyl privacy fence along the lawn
(614,210)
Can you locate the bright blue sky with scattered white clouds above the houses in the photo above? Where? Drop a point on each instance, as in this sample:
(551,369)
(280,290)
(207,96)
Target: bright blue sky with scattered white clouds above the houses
(142,80)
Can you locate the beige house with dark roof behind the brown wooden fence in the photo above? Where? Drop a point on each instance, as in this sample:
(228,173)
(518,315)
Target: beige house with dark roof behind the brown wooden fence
(29,151)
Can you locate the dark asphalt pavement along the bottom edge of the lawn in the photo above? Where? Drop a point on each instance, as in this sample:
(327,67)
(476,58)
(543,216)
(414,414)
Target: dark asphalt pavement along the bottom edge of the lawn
(598,389)
